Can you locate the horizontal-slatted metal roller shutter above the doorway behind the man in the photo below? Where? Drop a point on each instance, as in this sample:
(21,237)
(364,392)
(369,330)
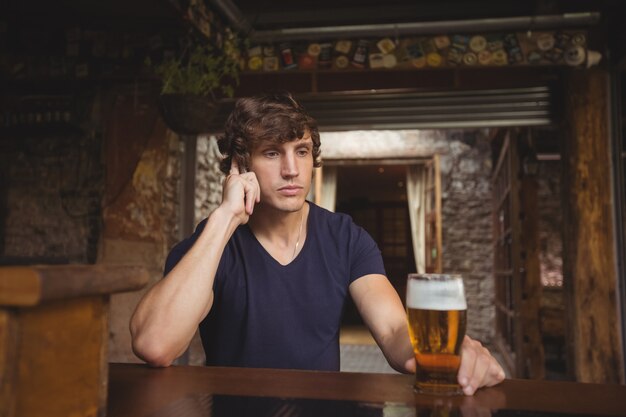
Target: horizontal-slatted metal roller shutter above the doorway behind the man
(401,109)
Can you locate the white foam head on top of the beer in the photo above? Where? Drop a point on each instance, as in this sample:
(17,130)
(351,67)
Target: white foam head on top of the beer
(436,292)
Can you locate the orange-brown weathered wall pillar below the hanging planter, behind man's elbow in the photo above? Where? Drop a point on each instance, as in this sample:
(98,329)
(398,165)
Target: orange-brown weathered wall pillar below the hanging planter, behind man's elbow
(141,201)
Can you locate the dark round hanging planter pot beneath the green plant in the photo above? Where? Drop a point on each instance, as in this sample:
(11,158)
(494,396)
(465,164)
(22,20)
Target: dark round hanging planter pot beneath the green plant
(188,114)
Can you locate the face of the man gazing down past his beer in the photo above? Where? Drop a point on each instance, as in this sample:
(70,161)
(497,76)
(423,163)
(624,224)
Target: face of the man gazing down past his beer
(284,172)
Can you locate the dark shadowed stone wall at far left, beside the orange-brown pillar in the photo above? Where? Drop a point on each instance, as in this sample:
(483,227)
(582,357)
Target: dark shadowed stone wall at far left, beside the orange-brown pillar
(51,187)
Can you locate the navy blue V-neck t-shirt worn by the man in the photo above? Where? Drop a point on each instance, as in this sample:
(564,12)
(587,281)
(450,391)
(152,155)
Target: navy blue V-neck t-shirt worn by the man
(268,315)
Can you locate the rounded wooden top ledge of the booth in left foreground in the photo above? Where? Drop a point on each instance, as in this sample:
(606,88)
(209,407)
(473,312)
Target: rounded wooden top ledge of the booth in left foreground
(24,286)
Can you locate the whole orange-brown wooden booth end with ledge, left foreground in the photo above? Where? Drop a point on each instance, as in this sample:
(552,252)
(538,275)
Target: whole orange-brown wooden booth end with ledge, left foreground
(54,337)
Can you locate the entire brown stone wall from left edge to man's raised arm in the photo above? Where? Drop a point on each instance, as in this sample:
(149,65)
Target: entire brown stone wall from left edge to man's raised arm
(104,190)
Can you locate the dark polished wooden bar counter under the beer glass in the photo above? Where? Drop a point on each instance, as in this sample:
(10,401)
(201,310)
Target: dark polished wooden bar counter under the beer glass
(187,391)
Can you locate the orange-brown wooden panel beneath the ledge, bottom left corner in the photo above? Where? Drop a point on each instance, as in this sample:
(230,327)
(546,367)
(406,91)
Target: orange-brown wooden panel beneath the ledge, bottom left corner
(54,359)
